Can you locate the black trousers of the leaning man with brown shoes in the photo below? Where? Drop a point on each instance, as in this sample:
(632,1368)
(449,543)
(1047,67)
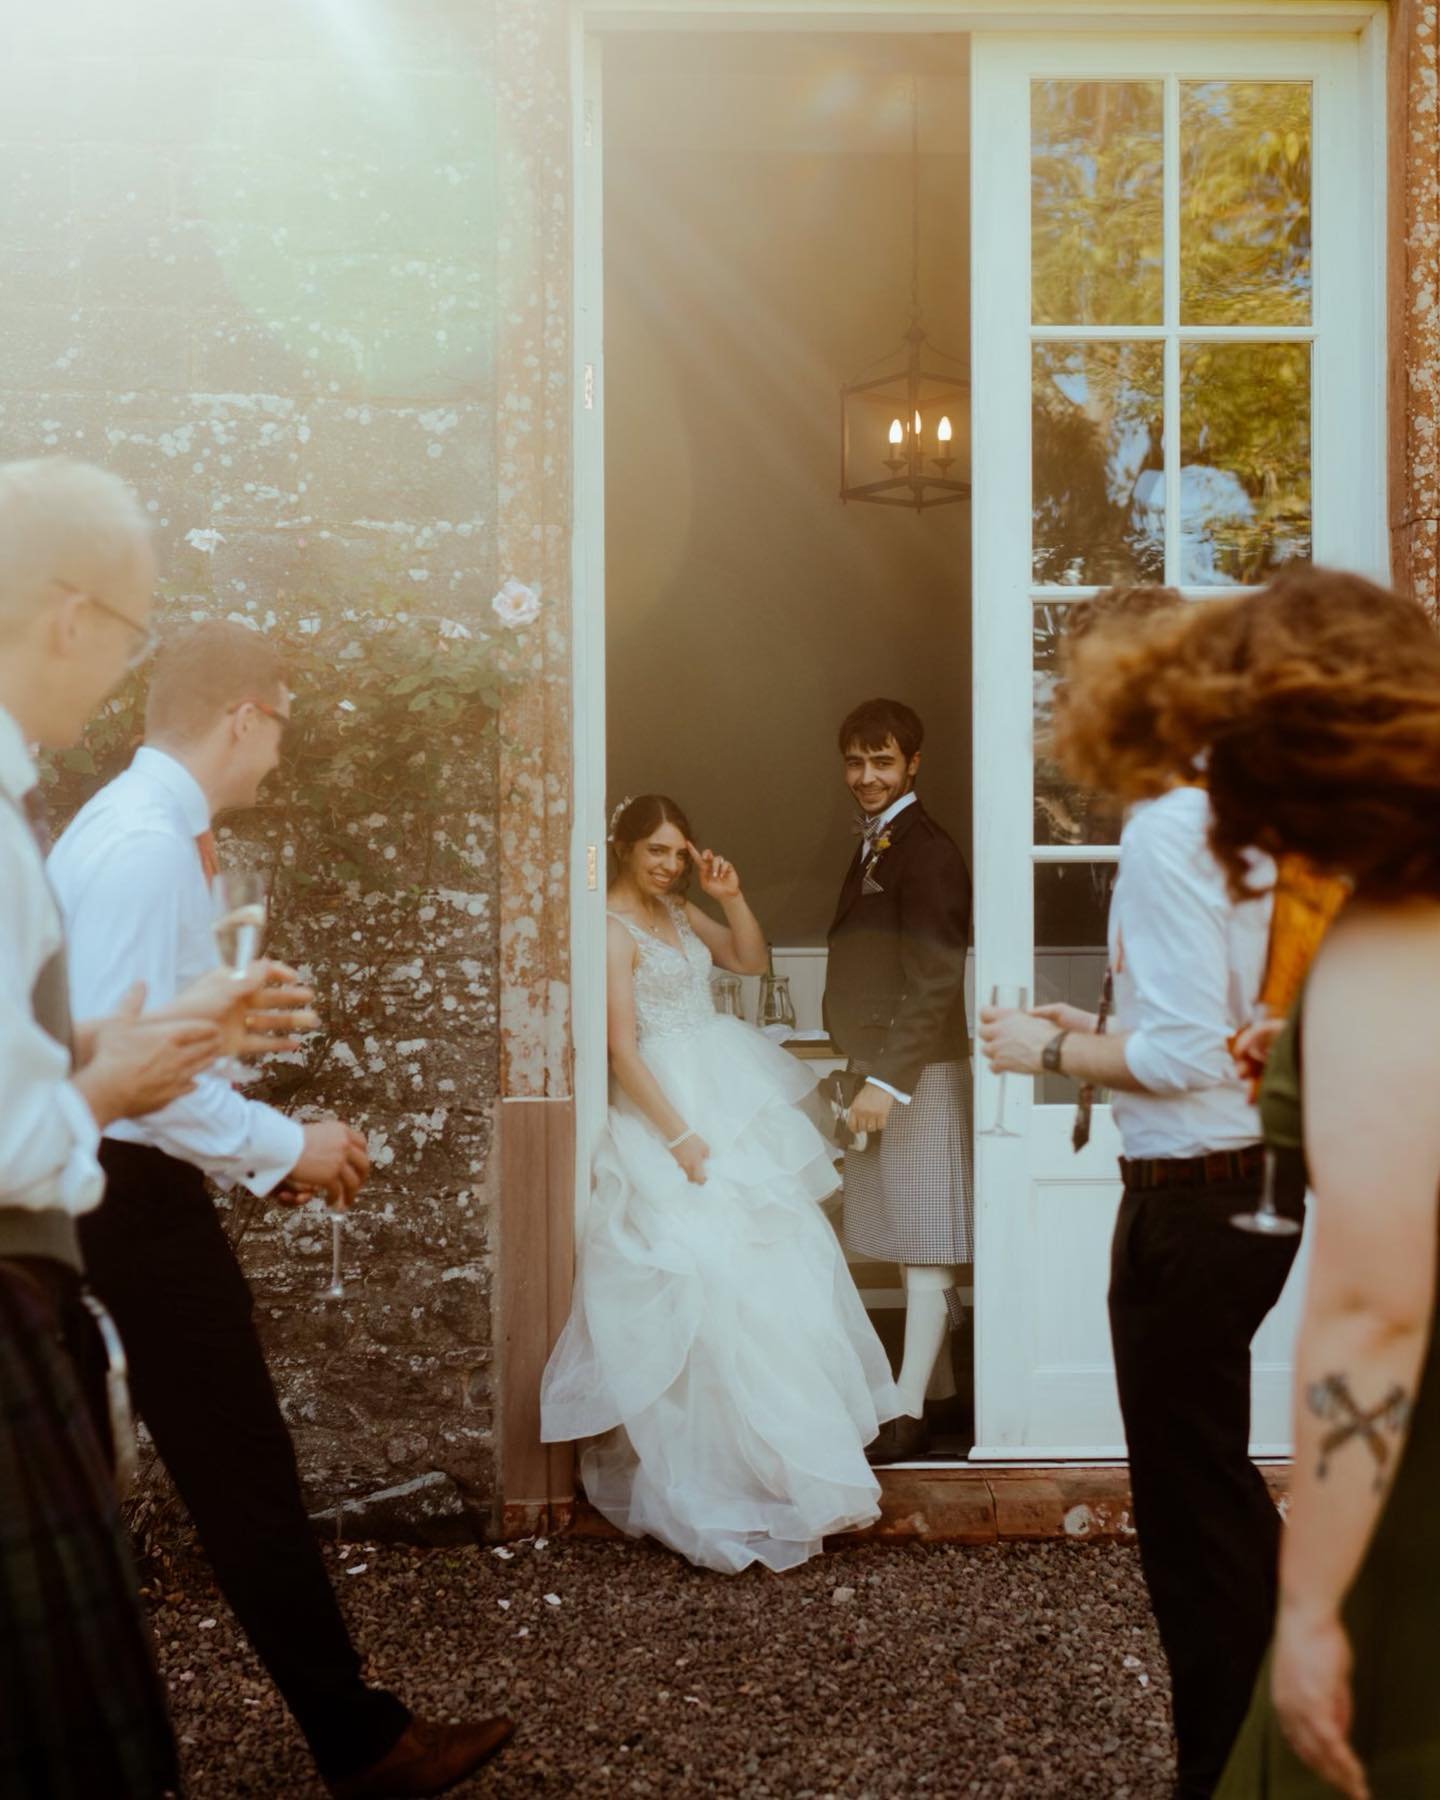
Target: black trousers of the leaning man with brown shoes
(159,1259)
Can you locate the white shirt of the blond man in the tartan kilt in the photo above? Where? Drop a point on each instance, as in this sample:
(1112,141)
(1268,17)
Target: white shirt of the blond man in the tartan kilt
(48,1133)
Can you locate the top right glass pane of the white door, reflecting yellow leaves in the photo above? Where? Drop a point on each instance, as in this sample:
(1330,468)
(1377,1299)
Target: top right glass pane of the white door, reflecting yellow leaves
(1245,202)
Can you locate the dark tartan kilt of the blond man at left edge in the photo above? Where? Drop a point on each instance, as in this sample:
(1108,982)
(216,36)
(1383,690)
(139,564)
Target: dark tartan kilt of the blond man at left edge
(82,1707)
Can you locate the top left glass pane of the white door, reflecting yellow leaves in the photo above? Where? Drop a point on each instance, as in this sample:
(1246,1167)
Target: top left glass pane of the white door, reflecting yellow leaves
(1097,197)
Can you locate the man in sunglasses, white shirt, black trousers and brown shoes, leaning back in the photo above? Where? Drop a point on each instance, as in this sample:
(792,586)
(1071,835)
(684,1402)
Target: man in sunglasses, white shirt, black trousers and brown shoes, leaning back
(132,874)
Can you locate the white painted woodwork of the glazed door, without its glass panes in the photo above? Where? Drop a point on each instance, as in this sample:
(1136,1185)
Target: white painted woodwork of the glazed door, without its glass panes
(1045,1376)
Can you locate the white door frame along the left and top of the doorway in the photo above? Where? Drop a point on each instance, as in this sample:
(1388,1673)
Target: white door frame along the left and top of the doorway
(591,21)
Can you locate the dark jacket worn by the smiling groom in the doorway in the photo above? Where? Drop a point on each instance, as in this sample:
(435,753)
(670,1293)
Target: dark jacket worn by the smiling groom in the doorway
(895,984)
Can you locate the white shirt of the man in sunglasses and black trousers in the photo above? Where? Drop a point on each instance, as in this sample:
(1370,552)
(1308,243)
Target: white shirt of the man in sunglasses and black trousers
(138,908)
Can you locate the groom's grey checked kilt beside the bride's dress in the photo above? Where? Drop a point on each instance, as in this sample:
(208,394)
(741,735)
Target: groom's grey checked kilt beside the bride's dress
(912,1198)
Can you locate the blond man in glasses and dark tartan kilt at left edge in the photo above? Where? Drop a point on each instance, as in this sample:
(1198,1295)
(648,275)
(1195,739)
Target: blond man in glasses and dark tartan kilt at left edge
(82,1707)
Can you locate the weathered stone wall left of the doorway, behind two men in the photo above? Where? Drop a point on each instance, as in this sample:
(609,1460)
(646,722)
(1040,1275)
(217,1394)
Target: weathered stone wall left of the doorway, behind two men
(249,262)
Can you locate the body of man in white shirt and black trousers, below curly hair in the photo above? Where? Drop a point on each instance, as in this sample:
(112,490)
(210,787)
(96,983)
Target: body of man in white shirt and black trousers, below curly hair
(1187,1290)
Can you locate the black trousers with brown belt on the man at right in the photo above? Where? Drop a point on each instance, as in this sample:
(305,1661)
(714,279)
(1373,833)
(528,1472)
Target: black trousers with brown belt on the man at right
(1187,1297)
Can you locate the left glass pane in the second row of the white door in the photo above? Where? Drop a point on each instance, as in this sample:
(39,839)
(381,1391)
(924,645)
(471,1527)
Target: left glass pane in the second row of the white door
(1097,447)
